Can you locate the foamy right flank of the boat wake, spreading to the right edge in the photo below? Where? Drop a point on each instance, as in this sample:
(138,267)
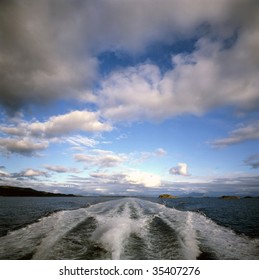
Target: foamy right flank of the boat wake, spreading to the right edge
(195,231)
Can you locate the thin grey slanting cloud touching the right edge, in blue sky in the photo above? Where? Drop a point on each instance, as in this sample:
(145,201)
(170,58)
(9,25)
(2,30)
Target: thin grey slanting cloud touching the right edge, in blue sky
(242,134)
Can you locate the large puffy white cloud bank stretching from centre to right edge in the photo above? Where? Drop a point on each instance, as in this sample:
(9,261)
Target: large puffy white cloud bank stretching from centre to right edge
(210,77)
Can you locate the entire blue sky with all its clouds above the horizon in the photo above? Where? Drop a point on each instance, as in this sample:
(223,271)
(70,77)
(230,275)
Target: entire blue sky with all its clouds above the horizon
(130,97)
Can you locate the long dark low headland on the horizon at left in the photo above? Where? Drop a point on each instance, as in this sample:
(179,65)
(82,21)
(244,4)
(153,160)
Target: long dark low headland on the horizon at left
(17,191)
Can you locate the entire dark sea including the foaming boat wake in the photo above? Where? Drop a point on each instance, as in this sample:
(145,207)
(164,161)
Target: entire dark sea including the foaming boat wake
(128,228)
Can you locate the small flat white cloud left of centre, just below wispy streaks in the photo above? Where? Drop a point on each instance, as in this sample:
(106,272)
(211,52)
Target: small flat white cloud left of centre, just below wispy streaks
(101,158)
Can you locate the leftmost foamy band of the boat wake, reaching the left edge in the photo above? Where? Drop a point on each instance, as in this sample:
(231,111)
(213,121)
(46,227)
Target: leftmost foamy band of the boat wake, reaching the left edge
(36,239)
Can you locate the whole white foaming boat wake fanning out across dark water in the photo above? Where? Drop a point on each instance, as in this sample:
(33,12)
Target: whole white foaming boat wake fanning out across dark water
(127,228)
